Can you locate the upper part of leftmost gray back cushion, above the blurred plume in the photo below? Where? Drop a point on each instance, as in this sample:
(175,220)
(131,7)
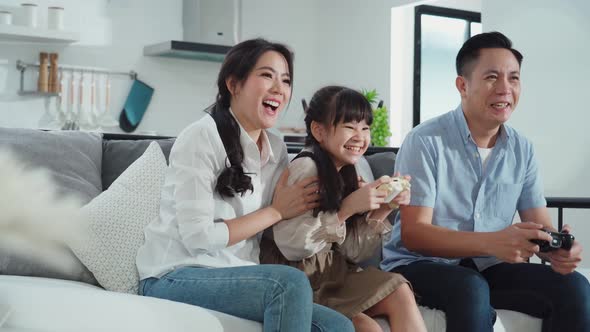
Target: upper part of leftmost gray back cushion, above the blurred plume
(72,157)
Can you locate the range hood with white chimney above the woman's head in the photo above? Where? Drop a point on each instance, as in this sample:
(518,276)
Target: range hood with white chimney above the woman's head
(210,29)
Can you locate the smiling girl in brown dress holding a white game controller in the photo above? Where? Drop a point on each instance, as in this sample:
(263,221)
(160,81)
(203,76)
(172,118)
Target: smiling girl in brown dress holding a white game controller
(328,242)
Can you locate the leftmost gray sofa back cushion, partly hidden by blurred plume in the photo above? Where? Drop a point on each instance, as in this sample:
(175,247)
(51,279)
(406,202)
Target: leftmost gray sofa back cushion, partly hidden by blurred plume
(73,159)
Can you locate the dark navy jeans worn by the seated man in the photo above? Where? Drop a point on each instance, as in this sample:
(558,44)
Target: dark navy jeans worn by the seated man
(468,297)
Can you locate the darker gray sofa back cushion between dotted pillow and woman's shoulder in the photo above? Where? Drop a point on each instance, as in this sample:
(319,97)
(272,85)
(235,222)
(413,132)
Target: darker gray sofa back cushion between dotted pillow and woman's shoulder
(117,155)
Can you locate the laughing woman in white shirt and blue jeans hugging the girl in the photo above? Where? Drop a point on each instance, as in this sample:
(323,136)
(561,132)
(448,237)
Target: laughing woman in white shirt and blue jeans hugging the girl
(203,249)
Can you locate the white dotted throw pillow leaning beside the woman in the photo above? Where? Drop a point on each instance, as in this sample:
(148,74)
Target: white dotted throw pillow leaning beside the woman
(117,218)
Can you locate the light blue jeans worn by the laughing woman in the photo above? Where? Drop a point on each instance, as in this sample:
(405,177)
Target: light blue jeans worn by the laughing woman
(276,295)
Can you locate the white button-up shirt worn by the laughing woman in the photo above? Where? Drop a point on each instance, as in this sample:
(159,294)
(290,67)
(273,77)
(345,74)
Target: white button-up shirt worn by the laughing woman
(190,230)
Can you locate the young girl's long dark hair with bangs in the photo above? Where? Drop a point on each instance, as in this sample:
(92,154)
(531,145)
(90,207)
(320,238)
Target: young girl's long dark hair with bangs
(330,106)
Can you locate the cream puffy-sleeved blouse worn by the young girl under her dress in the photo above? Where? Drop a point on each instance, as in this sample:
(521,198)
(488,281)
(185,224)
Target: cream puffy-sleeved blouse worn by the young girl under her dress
(304,236)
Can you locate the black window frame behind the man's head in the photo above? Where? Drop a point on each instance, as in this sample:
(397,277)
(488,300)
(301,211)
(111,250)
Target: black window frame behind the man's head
(469,16)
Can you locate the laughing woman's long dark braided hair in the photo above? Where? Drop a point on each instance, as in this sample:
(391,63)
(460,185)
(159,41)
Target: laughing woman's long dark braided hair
(238,64)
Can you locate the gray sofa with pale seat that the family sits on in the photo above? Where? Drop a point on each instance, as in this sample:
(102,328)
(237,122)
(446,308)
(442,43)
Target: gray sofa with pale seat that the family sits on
(86,164)
